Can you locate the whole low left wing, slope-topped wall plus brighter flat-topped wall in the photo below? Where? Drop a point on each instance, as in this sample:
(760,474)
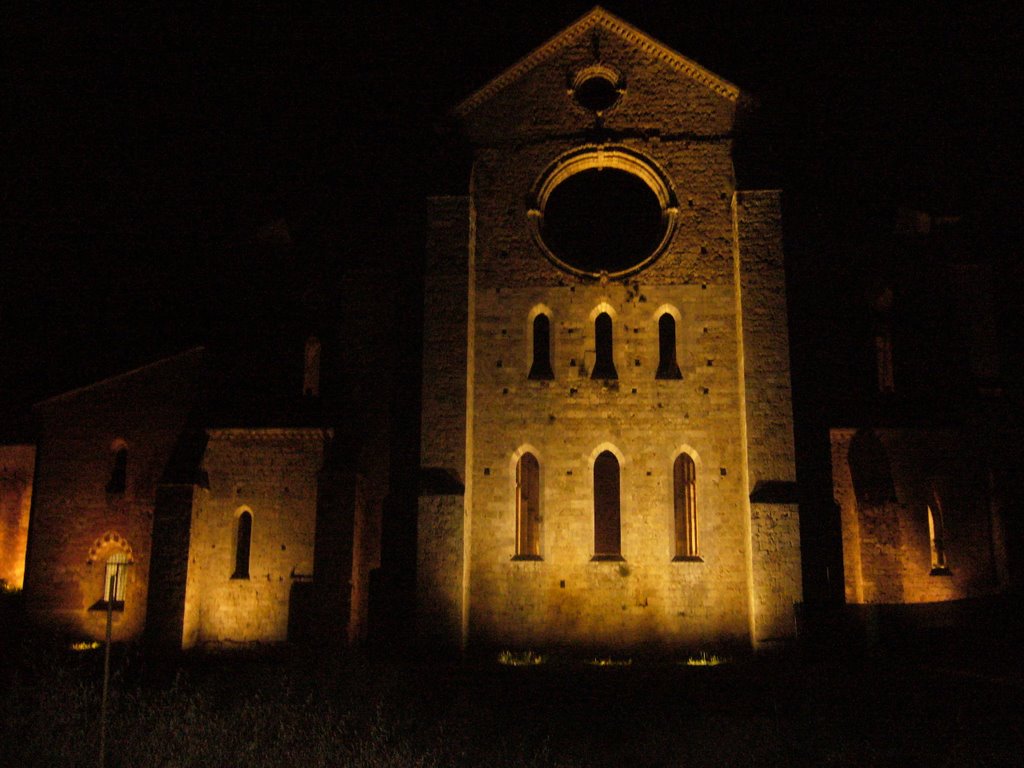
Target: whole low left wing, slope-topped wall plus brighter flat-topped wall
(177,518)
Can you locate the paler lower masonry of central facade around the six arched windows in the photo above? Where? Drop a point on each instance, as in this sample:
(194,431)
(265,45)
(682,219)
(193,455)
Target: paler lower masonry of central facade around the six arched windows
(567,599)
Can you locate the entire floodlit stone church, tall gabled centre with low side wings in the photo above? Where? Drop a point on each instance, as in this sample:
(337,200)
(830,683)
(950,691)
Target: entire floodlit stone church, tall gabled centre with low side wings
(607,447)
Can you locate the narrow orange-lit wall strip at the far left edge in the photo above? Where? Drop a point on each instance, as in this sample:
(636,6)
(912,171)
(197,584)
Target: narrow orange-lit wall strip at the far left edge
(17,466)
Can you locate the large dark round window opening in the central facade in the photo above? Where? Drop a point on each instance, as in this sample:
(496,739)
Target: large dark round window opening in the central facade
(603,221)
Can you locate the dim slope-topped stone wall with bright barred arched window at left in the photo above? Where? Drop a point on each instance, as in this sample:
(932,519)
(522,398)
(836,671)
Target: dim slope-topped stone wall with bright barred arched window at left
(78,521)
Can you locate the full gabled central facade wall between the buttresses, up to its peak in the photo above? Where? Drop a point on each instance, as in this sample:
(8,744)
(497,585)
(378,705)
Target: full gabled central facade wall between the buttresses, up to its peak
(648,600)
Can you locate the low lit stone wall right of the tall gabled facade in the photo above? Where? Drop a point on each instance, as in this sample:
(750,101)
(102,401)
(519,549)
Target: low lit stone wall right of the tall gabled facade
(884,492)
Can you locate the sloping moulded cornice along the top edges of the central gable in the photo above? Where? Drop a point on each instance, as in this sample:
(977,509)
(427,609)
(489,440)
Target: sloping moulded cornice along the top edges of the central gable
(599,17)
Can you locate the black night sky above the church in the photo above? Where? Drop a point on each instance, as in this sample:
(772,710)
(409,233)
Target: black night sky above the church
(141,146)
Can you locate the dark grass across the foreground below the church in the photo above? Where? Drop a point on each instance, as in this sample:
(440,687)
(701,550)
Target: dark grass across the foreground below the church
(355,712)
